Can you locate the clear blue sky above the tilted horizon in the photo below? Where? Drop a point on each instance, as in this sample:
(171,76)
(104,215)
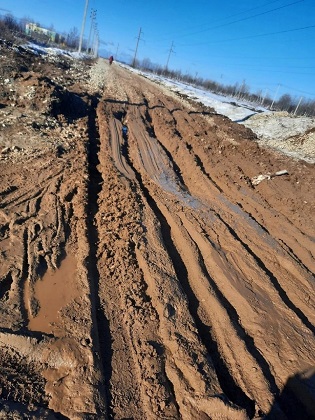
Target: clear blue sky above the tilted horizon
(264,43)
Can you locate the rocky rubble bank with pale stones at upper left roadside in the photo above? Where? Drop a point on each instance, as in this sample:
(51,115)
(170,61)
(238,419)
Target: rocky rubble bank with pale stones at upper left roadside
(37,99)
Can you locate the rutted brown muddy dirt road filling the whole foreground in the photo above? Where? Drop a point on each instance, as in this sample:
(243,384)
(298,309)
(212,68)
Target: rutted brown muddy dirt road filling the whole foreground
(142,274)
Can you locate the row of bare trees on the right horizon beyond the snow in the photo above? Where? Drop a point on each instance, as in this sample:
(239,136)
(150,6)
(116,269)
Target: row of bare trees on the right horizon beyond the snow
(239,91)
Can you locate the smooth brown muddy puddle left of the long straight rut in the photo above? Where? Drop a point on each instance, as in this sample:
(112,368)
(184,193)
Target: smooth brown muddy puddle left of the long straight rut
(54,291)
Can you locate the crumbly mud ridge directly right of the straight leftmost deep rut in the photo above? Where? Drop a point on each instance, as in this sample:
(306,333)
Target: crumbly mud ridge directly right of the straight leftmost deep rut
(150,390)
